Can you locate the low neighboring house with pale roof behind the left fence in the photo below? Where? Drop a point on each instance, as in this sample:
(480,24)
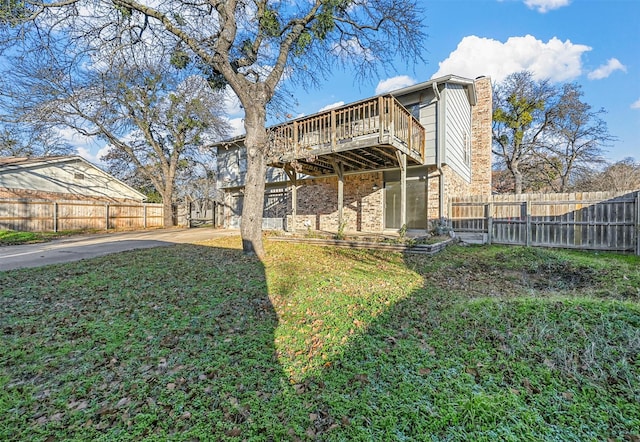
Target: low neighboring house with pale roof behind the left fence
(61,178)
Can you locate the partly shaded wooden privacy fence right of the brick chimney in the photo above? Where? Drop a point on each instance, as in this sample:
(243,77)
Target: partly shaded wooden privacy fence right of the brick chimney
(594,221)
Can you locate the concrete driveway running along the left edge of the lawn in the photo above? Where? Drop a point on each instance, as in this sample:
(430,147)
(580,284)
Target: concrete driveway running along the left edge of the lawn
(89,246)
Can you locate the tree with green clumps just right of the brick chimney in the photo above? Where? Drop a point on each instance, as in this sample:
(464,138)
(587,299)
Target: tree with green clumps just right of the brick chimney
(523,111)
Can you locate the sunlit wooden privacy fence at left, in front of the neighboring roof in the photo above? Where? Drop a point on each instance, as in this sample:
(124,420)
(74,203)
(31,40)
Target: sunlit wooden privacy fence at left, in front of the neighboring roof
(53,216)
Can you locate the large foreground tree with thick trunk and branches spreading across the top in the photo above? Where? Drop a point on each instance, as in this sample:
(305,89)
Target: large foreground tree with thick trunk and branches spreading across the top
(249,45)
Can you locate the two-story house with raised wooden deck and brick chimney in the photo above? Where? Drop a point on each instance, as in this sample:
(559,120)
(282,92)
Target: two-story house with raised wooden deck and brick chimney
(378,164)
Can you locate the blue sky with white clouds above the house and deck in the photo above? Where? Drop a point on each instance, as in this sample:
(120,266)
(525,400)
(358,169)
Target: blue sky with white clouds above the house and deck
(592,42)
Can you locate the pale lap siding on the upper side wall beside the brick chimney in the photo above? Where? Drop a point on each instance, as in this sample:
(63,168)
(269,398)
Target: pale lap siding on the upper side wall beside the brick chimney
(458,130)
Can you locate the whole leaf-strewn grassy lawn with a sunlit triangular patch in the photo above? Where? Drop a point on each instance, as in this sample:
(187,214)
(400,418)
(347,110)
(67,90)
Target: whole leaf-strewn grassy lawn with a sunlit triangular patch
(198,342)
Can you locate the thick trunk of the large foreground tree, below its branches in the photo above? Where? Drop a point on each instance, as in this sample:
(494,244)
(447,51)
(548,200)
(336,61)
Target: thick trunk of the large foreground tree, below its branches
(256,145)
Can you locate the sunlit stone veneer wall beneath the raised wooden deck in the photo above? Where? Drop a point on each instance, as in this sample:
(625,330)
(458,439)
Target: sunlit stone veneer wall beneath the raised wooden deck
(363,206)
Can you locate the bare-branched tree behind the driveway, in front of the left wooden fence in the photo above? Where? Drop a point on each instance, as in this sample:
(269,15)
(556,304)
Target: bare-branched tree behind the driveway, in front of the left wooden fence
(151,116)
